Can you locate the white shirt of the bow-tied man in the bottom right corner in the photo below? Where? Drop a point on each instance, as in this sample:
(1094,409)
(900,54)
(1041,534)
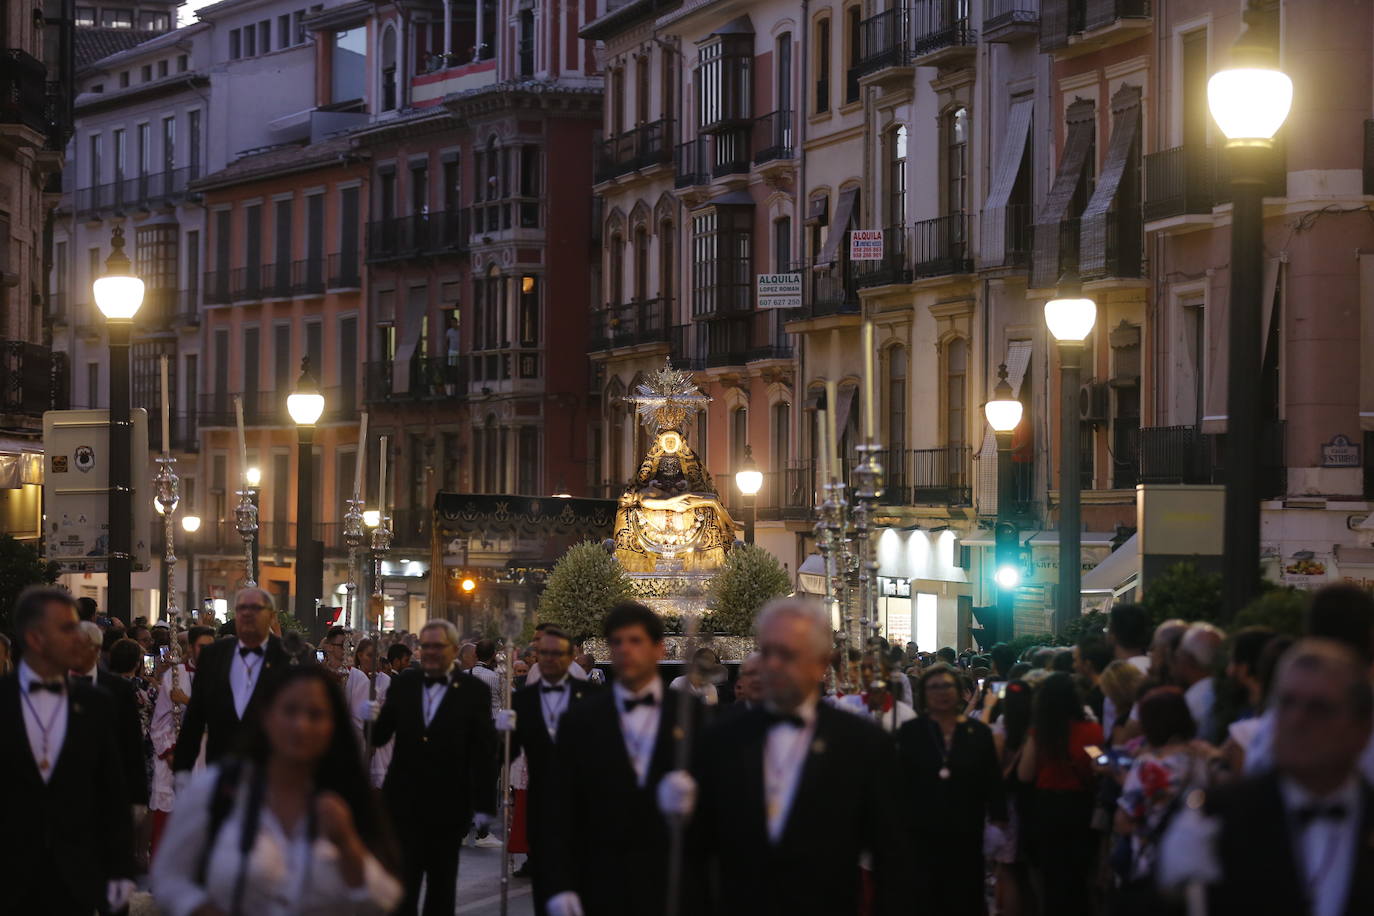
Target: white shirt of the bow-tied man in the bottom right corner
(1327,847)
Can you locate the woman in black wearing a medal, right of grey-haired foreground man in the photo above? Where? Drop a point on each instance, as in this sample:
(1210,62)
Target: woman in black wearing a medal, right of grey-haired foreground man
(949,766)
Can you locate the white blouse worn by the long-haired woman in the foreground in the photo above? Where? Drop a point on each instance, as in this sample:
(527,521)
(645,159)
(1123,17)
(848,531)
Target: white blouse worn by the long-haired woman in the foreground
(288,873)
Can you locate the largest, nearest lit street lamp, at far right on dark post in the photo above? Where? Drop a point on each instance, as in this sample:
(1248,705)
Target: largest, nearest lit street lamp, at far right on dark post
(1250,102)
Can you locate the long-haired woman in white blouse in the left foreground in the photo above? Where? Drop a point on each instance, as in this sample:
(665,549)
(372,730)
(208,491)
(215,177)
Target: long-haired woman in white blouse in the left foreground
(286,830)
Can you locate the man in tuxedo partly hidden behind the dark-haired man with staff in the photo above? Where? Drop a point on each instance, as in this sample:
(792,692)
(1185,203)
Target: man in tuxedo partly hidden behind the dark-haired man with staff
(539,709)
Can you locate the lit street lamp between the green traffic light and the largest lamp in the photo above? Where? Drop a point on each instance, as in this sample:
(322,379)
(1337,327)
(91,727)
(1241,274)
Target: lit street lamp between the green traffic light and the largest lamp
(1071,318)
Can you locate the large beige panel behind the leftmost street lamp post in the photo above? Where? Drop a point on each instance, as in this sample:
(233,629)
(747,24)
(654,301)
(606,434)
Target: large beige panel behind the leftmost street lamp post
(76,490)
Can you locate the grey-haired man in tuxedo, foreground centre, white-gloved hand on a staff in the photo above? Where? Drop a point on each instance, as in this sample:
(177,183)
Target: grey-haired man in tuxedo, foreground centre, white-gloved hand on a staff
(791,796)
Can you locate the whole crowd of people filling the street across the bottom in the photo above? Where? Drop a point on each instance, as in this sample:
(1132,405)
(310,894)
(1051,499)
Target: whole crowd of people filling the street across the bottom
(234,770)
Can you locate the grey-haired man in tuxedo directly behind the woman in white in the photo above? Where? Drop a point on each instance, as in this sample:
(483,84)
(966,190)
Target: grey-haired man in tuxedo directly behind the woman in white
(230,676)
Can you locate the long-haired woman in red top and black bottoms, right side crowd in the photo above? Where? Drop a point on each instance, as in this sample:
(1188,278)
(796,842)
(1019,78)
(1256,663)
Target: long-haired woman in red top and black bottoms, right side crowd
(1061,772)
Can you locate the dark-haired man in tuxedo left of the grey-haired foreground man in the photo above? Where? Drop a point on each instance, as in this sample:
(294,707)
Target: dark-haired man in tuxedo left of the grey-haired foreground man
(612,752)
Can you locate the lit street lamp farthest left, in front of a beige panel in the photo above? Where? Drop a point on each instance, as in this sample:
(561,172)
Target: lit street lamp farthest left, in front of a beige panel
(119,296)
